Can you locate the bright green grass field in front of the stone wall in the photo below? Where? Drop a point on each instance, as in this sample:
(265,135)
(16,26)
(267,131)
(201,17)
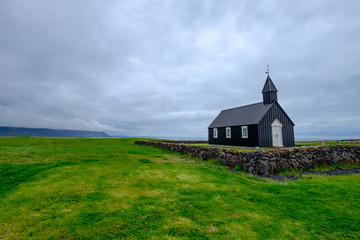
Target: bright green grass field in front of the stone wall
(111,188)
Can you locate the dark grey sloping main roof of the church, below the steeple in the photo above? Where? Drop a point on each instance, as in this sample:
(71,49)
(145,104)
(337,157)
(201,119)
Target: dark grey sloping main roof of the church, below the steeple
(245,115)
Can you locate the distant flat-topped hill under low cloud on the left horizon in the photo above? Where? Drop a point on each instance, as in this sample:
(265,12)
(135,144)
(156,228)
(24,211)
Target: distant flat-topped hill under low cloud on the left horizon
(45,132)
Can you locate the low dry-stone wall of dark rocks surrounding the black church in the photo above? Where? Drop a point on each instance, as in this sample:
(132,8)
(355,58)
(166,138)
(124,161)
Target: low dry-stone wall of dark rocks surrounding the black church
(268,162)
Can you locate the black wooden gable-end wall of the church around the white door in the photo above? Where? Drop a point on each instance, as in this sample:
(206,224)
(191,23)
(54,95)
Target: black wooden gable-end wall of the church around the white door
(265,131)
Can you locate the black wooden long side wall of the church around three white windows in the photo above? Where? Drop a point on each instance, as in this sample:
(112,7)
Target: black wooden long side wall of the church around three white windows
(236,139)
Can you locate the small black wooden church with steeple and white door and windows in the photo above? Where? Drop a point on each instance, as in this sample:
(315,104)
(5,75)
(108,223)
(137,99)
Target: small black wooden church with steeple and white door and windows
(263,124)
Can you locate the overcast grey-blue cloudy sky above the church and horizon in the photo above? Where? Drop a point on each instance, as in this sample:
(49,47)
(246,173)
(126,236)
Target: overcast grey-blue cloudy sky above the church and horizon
(167,68)
